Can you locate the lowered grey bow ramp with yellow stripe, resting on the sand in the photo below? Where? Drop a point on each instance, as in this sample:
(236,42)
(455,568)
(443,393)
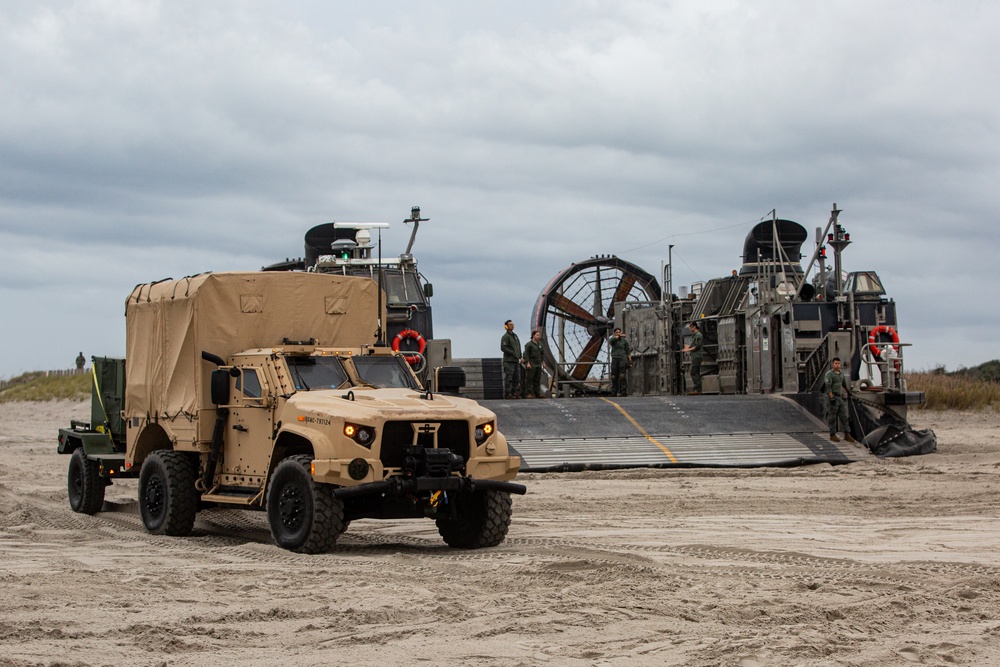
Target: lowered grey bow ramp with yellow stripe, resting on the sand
(570,434)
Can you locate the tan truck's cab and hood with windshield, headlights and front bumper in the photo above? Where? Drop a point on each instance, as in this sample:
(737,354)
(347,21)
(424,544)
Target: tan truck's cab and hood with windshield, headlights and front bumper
(355,411)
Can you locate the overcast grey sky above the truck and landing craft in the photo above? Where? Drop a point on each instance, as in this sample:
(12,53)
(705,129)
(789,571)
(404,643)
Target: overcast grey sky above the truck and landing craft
(144,140)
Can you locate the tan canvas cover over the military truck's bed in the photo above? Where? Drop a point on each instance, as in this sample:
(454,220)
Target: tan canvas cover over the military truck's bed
(169,324)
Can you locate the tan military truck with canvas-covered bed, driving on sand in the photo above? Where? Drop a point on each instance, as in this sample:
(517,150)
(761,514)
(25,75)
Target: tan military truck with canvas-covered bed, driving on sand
(264,391)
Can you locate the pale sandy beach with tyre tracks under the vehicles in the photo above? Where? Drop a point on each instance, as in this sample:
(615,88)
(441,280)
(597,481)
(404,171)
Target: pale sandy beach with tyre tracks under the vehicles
(884,562)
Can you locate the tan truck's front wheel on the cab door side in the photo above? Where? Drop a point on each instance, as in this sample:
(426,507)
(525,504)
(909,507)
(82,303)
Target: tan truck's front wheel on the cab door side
(304,516)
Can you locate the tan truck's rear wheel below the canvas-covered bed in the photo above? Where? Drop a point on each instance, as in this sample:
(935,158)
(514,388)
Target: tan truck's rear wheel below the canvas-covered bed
(168,500)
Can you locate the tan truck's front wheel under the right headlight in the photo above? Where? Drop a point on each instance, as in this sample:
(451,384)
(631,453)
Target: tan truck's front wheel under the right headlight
(481,520)
